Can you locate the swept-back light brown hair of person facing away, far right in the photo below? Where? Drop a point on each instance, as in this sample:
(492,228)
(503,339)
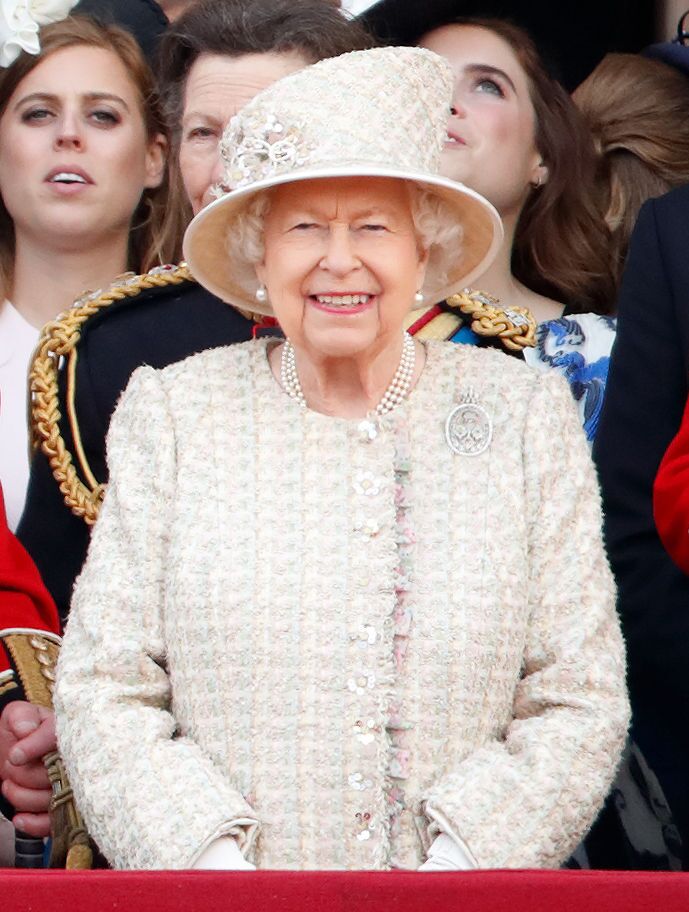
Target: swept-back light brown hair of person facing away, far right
(638,112)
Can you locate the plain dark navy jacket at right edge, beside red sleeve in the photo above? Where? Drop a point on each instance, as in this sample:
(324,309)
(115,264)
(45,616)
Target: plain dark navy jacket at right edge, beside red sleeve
(647,389)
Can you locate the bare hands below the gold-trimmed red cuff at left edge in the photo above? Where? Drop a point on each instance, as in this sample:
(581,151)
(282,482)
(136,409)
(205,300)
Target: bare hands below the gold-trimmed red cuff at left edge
(27,733)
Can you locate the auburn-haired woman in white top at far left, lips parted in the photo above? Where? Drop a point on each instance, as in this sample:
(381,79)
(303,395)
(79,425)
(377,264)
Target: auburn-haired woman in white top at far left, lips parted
(82,179)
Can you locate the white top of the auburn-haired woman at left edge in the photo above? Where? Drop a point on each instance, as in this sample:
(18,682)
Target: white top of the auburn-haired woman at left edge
(18,339)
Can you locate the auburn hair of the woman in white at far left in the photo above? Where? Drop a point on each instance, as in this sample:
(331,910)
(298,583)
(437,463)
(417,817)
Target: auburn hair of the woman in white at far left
(150,242)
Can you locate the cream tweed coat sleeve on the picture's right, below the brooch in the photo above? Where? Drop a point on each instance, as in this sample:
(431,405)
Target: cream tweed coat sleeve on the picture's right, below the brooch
(525,799)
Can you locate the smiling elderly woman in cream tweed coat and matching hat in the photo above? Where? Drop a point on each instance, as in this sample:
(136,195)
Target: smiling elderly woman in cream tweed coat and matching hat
(306,635)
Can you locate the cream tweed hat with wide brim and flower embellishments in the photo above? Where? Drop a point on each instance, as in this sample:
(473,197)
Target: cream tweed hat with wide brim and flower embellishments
(377,113)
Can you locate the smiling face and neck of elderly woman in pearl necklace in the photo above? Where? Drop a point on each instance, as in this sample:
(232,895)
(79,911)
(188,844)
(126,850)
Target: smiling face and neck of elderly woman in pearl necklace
(342,263)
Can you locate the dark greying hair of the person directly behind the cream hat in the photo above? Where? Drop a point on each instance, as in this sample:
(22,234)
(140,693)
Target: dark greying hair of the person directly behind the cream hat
(312,28)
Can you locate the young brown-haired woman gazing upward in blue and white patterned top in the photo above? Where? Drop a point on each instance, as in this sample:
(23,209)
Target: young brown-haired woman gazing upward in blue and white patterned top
(515,135)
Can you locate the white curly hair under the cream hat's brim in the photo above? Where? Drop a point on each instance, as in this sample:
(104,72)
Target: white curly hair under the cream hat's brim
(435,223)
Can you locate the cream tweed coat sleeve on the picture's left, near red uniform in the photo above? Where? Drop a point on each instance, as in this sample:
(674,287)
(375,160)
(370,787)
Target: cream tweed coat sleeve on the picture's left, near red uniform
(113,693)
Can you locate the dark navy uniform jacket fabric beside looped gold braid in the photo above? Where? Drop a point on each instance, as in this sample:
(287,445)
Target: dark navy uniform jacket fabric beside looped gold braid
(156,327)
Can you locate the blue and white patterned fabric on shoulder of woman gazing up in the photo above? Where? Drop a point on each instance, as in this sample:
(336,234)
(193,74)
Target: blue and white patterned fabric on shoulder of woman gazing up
(578,346)
